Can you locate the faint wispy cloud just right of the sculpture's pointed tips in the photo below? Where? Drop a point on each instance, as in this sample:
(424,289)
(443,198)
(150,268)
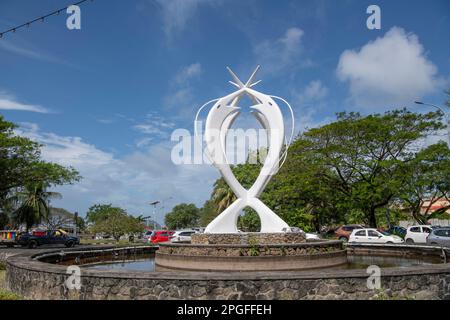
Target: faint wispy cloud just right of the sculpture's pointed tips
(279,54)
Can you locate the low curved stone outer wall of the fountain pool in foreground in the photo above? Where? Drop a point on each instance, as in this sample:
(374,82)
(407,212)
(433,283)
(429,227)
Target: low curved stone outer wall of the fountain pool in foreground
(50,285)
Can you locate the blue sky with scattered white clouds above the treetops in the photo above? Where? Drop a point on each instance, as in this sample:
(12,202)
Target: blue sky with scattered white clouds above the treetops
(106,98)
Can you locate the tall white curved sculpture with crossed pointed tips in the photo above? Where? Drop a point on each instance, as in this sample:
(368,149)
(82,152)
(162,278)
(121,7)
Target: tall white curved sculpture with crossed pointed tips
(219,120)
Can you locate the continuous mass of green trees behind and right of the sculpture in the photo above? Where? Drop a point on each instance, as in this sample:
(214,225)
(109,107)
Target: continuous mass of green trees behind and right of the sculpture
(348,171)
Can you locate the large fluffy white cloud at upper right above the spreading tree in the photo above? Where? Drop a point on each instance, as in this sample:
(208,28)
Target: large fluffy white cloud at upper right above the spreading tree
(390,71)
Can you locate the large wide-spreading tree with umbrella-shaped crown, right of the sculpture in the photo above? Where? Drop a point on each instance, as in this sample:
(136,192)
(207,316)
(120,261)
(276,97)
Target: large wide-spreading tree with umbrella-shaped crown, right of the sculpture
(364,156)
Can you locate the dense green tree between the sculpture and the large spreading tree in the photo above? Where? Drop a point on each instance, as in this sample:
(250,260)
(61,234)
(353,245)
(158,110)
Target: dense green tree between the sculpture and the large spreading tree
(297,193)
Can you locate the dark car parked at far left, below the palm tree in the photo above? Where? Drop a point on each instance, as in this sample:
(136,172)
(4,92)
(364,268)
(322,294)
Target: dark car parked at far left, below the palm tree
(50,237)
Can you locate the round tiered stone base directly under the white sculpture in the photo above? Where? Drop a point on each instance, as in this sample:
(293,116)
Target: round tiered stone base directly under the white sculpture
(250,252)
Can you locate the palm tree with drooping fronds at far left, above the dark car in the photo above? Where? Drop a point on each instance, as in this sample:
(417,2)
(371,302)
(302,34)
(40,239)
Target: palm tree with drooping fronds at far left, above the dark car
(33,204)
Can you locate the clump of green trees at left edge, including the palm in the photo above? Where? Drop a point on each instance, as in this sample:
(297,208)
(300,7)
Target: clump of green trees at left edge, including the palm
(24,177)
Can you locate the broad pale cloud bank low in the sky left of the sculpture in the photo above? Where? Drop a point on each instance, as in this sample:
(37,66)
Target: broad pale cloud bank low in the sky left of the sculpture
(130,181)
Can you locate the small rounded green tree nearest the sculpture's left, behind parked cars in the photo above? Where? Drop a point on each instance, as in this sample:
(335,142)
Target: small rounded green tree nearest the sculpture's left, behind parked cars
(182,216)
